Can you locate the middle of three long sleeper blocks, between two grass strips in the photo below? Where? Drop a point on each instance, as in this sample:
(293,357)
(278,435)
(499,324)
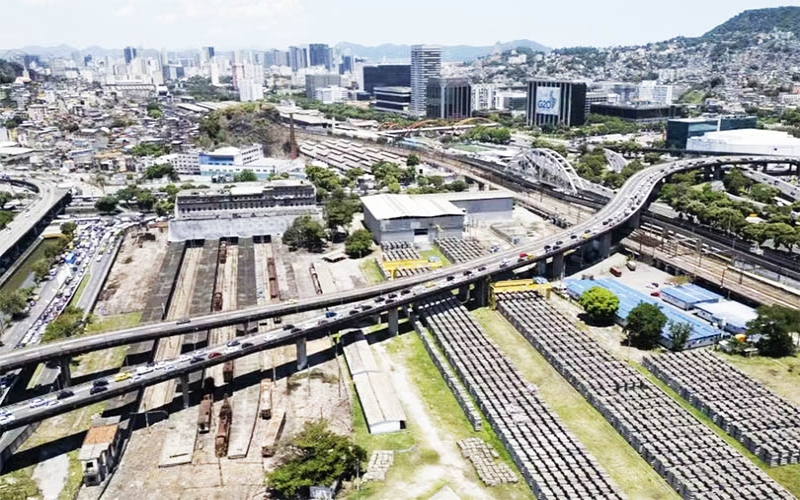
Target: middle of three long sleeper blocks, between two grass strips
(697,463)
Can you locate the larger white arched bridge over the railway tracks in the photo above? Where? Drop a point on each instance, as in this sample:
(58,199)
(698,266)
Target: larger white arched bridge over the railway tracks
(546,166)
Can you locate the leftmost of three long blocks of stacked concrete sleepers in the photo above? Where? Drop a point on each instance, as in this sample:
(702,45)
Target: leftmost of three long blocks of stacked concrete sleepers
(553,462)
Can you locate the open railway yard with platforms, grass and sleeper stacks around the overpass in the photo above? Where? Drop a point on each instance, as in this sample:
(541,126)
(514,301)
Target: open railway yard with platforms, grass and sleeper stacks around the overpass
(518,400)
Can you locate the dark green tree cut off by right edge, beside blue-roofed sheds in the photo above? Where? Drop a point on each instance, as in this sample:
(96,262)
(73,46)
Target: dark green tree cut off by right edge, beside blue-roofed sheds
(775,324)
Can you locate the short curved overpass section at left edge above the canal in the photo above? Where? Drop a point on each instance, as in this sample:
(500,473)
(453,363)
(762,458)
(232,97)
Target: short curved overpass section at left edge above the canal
(27,225)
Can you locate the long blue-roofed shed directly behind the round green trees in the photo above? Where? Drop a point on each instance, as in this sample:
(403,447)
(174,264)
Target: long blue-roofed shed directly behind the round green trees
(702,333)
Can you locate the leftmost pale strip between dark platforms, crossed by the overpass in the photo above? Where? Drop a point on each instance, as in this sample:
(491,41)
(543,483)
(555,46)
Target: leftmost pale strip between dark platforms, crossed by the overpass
(170,347)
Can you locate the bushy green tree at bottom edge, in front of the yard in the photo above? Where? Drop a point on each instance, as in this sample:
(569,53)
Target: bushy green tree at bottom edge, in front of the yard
(316,456)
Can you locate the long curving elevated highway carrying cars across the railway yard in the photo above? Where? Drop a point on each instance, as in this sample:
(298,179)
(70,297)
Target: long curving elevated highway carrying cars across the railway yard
(351,306)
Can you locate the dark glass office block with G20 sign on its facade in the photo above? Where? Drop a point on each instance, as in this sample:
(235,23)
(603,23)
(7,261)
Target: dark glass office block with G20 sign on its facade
(556,103)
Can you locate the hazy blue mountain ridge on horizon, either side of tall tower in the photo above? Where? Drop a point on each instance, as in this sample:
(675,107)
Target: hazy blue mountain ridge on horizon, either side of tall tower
(450,53)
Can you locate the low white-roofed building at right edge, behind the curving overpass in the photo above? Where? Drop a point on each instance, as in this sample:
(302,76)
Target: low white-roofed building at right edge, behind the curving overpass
(746,141)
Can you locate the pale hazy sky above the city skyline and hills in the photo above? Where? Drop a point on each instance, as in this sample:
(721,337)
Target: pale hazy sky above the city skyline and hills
(261,24)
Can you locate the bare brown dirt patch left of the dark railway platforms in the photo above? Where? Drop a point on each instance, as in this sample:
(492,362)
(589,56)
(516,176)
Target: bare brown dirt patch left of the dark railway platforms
(134,273)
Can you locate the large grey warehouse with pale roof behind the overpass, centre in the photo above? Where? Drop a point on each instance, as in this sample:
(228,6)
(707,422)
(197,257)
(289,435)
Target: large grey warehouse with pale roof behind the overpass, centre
(425,218)
